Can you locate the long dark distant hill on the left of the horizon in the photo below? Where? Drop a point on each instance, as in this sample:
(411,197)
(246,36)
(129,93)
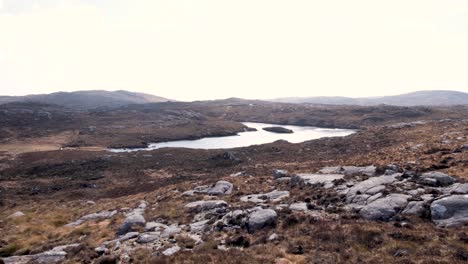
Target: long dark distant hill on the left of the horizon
(87,99)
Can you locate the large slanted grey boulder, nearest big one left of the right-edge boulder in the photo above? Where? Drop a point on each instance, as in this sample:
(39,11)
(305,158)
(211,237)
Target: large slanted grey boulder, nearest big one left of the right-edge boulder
(384,208)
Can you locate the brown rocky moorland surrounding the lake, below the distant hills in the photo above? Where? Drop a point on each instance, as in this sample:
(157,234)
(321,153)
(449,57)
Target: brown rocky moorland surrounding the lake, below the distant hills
(370,197)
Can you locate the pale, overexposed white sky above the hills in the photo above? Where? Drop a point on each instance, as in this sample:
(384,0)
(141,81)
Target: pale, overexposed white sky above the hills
(208,49)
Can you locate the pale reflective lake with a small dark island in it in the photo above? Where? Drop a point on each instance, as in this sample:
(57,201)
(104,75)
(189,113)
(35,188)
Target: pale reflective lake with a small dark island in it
(244,139)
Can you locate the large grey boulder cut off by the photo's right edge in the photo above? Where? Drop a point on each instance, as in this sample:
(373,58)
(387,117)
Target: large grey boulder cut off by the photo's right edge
(450,211)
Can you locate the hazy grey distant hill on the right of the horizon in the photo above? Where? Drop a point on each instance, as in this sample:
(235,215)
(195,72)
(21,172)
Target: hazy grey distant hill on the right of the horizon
(420,98)
